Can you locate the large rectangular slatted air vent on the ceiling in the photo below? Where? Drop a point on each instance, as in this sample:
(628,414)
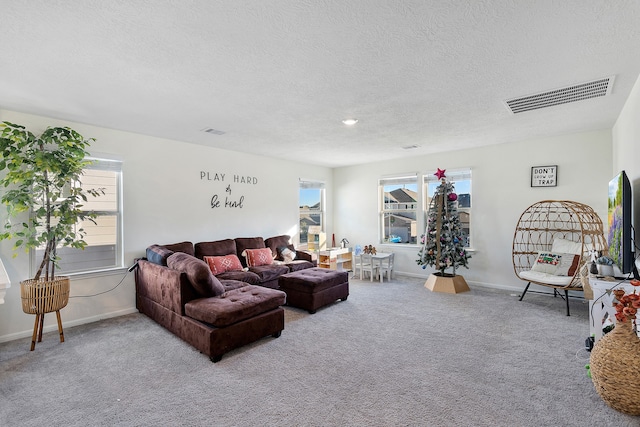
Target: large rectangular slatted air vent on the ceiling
(577,92)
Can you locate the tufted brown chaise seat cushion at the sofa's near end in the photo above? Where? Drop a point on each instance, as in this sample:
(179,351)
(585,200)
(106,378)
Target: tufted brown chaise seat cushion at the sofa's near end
(235,306)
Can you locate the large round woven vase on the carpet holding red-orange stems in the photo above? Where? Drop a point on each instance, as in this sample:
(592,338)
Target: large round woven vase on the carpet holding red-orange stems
(615,365)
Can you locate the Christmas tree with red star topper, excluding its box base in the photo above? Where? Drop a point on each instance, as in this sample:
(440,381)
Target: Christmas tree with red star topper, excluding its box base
(443,242)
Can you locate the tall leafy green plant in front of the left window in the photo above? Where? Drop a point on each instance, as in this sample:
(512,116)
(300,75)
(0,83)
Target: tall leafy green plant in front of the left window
(42,176)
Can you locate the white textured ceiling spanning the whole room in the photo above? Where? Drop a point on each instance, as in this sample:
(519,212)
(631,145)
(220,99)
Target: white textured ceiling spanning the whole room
(279,76)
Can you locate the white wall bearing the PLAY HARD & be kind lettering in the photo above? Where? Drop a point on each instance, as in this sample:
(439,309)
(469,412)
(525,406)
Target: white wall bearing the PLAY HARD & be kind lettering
(165,201)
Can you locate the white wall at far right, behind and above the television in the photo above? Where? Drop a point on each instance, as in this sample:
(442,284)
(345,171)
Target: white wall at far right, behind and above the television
(626,149)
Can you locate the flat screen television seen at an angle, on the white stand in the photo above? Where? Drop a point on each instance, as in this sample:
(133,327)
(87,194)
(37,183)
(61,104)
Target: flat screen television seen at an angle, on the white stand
(620,238)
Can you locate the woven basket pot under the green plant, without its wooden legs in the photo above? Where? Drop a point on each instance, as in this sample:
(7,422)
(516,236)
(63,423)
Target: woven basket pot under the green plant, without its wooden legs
(44,296)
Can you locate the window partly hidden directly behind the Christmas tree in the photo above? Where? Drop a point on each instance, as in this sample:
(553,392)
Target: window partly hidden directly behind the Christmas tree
(461,179)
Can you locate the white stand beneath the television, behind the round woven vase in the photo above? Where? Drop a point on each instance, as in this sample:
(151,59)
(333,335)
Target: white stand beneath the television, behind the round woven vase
(601,306)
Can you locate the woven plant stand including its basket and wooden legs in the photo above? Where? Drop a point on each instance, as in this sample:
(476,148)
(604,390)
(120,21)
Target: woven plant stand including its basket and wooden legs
(44,296)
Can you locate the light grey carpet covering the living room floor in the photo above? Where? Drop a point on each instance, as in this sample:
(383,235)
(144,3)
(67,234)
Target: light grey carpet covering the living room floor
(393,354)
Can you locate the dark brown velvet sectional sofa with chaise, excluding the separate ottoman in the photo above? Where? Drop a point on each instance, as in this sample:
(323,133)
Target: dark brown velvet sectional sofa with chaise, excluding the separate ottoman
(214,313)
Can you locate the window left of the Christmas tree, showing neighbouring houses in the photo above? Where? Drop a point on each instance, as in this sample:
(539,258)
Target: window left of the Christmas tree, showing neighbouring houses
(399,207)
